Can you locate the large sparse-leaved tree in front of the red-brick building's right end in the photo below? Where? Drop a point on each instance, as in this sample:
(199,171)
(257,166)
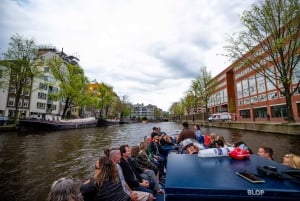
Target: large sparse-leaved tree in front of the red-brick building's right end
(270,45)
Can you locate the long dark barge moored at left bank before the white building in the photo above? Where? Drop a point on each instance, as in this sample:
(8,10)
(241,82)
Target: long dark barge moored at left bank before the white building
(49,125)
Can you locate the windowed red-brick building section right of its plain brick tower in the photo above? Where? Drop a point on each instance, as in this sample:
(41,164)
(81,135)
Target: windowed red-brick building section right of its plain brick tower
(258,99)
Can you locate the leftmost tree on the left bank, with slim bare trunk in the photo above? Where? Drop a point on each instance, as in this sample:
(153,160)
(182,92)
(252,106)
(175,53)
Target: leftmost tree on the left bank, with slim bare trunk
(19,67)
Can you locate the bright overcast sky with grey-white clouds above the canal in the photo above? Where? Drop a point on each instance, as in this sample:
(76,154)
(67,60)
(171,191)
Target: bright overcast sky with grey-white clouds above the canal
(147,50)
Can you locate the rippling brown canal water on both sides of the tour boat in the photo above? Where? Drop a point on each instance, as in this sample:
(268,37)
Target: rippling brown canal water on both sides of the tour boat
(30,162)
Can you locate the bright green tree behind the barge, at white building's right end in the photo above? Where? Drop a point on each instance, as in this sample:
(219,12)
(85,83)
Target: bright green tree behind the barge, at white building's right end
(72,82)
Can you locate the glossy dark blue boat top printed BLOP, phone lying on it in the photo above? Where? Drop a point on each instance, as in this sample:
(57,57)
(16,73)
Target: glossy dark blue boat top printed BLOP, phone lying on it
(190,177)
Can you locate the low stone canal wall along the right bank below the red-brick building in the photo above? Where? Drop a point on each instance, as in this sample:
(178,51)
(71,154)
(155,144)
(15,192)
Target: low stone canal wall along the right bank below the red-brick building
(282,128)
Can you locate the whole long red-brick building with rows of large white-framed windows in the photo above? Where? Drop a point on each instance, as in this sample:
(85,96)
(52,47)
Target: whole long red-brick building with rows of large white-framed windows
(250,96)
